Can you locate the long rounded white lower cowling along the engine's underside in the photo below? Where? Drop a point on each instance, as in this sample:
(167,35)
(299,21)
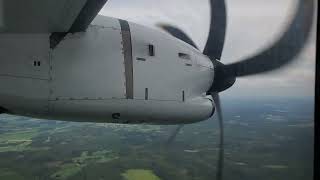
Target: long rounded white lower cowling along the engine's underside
(134,111)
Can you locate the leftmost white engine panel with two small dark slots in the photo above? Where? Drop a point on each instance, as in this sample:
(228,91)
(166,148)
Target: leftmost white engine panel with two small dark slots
(24,87)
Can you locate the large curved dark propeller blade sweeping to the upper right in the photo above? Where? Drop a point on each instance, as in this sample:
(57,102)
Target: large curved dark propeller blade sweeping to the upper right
(283,51)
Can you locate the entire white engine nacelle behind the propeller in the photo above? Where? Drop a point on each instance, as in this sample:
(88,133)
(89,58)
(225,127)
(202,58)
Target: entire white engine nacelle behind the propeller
(115,72)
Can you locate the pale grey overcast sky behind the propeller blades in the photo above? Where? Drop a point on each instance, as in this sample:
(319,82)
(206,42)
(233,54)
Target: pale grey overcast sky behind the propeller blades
(252,25)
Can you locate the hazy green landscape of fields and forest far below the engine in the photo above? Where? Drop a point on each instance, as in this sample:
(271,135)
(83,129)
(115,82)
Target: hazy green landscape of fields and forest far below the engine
(256,147)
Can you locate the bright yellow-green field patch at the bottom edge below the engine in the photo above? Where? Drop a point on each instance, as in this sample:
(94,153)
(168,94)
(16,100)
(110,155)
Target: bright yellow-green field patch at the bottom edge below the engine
(140,174)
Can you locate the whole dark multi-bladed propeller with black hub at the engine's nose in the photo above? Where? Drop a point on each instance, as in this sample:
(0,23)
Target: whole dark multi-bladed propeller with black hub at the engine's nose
(280,53)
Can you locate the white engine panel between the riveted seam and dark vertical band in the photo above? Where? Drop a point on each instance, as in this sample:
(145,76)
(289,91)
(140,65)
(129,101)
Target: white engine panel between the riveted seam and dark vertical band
(89,65)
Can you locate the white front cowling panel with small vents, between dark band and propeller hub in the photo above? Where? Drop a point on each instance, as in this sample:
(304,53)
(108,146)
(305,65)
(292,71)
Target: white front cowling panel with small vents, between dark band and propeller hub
(166,75)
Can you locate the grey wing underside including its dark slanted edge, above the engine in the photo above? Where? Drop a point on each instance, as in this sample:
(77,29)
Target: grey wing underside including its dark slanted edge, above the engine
(47,16)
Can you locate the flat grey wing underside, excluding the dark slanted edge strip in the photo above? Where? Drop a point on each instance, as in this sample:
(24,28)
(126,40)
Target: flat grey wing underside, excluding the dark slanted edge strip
(39,16)
